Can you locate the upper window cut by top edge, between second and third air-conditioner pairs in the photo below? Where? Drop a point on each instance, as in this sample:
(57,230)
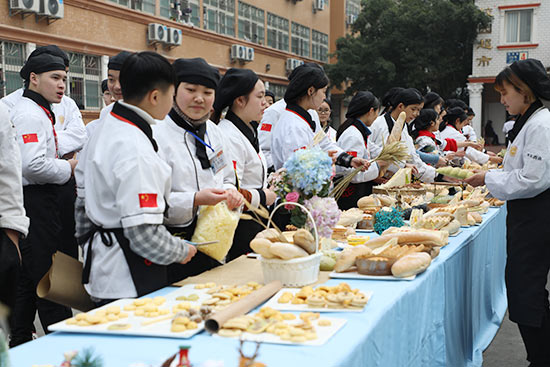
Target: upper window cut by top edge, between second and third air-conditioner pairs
(219,16)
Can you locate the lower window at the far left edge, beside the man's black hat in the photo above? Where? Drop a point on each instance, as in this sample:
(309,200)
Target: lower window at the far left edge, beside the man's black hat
(12,58)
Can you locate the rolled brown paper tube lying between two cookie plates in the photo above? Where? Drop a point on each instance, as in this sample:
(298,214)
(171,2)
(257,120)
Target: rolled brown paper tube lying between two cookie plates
(241,307)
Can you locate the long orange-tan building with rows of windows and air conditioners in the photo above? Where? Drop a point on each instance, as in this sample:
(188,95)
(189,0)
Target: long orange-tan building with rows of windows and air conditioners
(269,37)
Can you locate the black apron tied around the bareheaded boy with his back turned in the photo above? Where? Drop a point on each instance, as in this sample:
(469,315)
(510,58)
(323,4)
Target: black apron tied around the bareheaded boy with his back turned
(147,276)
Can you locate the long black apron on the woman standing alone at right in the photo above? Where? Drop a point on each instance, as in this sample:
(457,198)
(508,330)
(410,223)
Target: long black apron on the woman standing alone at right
(528,259)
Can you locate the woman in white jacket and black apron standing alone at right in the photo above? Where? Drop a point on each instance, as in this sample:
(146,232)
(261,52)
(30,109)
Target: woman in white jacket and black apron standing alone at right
(524,182)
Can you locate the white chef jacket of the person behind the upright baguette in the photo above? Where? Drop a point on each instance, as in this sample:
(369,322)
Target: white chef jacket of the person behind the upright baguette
(380,135)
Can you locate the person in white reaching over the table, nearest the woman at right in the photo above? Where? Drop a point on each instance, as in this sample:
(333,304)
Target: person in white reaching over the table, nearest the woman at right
(453,122)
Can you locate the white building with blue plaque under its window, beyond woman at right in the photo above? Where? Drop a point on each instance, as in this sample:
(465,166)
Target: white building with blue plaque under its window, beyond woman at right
(519,30)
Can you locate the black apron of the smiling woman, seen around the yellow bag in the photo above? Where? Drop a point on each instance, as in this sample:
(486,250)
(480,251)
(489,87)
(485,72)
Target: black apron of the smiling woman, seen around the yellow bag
(198,264)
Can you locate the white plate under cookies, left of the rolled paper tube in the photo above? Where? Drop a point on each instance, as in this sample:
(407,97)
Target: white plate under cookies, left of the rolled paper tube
(159,329)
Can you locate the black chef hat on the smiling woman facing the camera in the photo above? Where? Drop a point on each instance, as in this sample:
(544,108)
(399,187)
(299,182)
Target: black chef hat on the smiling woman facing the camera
(196,71)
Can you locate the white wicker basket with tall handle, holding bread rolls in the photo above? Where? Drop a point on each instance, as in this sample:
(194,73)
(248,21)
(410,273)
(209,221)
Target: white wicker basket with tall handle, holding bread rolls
(295,272)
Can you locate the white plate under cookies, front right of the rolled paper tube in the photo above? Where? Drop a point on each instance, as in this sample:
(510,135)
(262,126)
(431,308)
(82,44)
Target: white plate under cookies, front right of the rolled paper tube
(324,333)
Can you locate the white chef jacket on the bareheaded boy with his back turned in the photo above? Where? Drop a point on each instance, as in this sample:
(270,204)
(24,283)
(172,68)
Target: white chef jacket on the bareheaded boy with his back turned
(126,185)
